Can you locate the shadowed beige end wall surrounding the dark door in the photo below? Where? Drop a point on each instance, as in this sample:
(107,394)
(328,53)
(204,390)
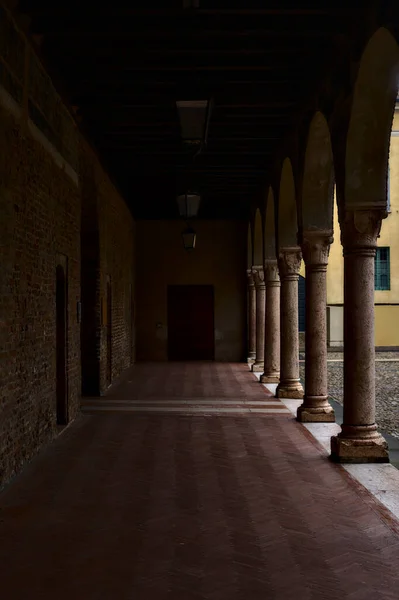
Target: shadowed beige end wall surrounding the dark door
(219,259)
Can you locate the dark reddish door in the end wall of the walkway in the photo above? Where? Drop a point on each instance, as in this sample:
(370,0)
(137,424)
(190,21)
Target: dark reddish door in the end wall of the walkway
(191,322)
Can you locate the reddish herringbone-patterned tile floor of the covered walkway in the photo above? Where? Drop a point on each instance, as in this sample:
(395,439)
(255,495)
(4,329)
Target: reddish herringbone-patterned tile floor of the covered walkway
(169,506)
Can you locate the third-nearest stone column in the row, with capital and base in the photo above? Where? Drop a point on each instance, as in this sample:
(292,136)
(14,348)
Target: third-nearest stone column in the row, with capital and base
(289,263)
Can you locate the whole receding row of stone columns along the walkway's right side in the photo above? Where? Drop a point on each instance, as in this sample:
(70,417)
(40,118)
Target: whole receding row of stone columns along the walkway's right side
(273,332)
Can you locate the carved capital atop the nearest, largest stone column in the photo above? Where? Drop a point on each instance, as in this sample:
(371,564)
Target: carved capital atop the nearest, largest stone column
(360,230)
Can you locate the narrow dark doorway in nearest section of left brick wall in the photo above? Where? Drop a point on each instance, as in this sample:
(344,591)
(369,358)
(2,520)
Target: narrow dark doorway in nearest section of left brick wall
(61,340)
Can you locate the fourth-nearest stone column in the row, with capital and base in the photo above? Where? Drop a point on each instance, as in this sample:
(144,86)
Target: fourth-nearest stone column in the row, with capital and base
(271,372)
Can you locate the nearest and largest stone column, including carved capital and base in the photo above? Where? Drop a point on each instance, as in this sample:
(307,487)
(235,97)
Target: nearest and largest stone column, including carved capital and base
(359,440)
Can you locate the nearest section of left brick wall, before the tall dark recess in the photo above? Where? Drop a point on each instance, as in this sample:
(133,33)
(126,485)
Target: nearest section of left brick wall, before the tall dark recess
(39,220)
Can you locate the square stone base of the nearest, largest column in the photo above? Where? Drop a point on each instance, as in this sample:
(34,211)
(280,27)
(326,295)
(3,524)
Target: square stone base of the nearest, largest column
(373,449)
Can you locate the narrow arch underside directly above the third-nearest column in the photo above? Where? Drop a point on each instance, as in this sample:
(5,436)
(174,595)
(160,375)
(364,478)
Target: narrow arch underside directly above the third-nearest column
(287,208)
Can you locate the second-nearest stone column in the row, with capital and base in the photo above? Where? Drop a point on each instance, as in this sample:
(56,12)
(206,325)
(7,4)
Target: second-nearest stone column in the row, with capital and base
(315,251)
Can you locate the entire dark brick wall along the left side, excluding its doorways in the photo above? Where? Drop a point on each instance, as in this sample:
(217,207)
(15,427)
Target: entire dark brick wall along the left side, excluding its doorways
(57,207)
